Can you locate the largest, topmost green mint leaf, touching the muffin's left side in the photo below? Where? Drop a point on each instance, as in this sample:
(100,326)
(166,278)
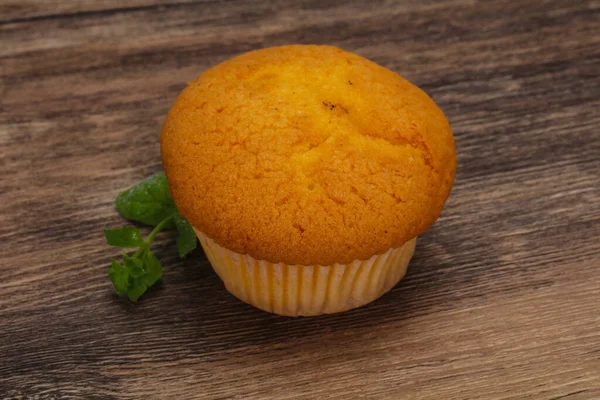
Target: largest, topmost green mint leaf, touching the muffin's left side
(148,202)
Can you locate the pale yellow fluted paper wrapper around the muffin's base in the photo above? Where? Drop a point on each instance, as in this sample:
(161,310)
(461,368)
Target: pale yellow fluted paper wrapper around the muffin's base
(294,290)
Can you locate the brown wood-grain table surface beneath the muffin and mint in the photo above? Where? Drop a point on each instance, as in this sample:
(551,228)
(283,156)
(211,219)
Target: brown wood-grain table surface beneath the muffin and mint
(502,299)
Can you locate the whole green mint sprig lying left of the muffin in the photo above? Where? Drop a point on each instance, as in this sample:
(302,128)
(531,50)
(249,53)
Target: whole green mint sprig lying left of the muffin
(150,203)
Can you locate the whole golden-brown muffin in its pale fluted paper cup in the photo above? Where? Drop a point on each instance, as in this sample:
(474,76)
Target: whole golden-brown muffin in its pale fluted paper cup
(307,173)
